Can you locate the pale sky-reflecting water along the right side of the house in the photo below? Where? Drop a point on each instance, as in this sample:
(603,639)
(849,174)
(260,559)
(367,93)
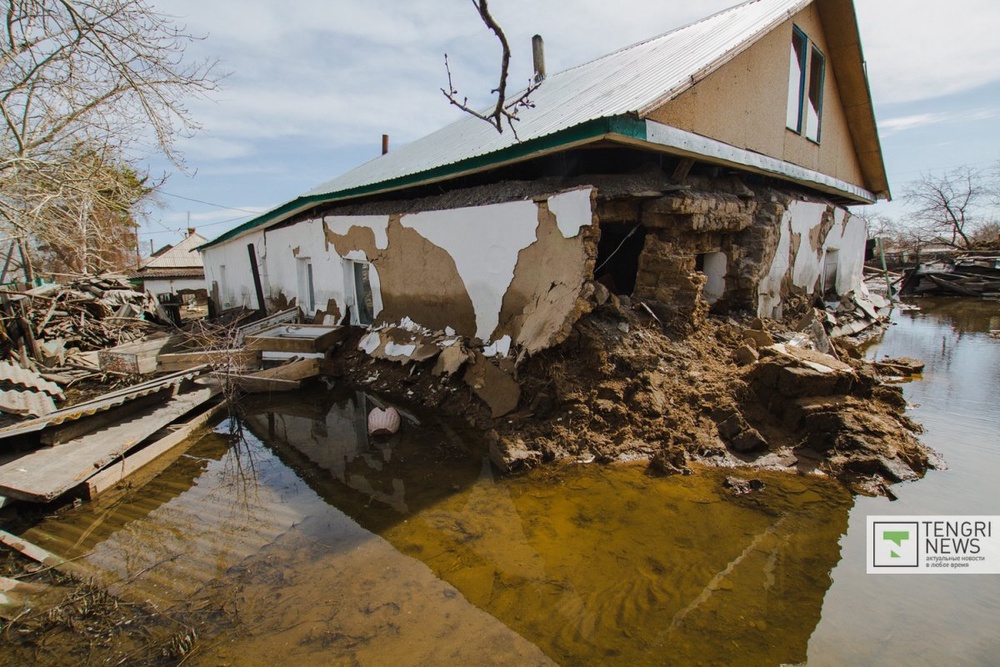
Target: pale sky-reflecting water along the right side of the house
(928,619)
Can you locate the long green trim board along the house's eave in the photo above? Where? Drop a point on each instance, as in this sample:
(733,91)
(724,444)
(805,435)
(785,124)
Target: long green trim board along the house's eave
(628,126)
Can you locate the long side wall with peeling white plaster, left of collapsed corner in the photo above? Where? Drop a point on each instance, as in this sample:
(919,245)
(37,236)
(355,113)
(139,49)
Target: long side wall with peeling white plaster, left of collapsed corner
(512,269)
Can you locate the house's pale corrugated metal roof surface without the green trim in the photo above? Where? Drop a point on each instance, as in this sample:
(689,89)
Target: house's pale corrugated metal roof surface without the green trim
(628,81)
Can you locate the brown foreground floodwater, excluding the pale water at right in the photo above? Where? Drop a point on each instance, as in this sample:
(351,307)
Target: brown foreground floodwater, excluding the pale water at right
(298,538)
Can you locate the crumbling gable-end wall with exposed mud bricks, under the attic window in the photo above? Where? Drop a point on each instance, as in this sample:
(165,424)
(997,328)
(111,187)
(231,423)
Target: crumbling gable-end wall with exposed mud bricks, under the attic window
(756,246)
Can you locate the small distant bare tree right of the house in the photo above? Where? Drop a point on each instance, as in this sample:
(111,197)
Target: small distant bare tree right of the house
(951,207)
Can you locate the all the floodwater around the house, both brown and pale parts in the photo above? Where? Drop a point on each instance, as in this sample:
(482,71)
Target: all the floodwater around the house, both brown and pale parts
(289,537)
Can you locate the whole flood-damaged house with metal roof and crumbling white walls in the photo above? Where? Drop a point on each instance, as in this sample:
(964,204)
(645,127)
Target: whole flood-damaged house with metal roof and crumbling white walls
(709,166)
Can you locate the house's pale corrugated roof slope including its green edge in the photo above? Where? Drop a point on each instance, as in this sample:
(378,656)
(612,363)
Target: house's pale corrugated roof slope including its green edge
(579,104)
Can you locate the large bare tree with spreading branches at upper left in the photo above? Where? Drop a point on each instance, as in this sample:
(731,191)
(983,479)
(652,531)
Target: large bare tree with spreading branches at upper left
(92,77)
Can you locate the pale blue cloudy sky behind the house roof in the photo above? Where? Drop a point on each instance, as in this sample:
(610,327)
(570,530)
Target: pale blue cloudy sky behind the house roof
(313,85)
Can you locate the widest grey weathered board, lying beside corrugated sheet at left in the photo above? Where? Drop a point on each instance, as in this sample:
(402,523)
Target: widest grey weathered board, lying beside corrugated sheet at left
(45,474)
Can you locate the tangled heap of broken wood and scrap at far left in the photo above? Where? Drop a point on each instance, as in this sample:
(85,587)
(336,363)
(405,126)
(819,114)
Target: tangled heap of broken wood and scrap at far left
(51,334)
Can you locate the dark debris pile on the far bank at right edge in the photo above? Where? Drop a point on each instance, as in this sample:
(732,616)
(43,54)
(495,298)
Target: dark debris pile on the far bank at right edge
(970,274)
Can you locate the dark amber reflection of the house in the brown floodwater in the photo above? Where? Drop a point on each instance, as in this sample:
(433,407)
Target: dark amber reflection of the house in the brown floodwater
(588,563)
